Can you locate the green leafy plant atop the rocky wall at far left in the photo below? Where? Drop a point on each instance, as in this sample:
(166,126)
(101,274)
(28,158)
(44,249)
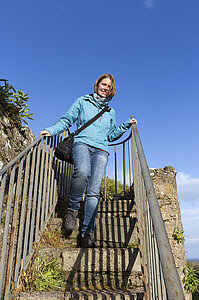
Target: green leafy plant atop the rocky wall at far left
(15,104)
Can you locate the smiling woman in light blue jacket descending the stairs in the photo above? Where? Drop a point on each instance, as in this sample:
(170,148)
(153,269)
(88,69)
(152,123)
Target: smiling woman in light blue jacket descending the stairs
(90,152)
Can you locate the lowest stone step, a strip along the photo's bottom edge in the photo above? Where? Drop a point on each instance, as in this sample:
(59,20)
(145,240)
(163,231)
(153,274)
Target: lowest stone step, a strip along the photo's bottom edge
(83,295)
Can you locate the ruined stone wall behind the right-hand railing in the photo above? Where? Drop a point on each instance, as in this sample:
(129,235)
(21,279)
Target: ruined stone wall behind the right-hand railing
(164,180)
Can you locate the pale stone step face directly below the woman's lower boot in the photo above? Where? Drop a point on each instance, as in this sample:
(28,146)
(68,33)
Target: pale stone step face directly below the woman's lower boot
(90,259)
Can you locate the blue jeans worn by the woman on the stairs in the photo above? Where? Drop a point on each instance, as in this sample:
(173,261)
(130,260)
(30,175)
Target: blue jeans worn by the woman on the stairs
(89,167)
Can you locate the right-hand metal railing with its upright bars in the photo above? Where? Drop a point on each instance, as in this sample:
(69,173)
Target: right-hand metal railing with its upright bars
(150,213)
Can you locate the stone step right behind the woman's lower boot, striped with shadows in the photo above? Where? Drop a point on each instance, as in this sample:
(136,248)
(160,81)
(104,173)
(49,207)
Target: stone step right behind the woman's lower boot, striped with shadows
(109,232)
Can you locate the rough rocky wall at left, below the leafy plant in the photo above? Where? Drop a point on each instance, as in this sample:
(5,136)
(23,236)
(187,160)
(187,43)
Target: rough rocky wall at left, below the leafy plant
(12,139)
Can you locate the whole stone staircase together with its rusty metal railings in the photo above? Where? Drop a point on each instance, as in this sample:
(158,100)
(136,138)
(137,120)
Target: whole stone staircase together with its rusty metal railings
(134,251)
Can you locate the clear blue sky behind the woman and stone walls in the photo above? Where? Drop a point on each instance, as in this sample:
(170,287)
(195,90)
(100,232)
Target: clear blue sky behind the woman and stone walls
(55,50)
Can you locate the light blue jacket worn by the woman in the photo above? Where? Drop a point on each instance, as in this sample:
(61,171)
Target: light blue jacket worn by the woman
(99,133)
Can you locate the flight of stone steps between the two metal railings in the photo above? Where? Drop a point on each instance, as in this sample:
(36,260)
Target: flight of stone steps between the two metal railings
(115,263)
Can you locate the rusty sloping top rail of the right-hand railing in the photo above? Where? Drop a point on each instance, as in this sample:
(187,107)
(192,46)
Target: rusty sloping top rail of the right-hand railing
(169,270)
